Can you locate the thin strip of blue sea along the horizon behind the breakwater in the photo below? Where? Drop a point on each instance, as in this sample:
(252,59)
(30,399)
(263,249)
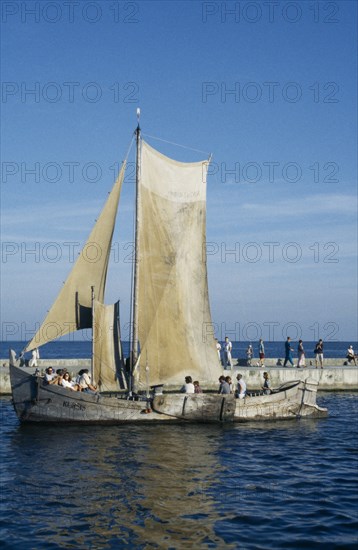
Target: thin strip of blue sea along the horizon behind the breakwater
(82,349)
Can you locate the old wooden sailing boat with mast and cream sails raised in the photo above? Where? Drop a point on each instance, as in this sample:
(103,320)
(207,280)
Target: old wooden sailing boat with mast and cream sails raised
(170,308)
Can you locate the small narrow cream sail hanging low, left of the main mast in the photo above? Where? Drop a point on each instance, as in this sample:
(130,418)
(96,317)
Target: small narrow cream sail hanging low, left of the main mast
(108,368)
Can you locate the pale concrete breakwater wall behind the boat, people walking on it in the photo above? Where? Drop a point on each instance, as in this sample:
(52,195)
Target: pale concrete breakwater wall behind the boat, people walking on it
(334,376)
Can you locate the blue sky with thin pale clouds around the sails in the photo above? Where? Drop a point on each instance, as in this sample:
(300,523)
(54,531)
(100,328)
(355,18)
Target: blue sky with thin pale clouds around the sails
(269,90)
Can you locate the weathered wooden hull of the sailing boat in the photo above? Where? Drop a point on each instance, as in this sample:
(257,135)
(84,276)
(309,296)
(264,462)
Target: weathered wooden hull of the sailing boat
(36,402)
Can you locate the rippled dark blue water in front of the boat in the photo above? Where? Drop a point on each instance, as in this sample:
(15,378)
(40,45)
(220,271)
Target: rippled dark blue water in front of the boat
(271,485)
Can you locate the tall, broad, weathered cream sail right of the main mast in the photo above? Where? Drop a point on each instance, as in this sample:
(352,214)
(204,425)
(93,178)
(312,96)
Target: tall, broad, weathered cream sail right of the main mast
(175,328)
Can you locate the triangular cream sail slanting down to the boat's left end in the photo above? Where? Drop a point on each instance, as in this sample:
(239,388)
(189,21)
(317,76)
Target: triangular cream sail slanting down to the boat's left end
(72,309)
